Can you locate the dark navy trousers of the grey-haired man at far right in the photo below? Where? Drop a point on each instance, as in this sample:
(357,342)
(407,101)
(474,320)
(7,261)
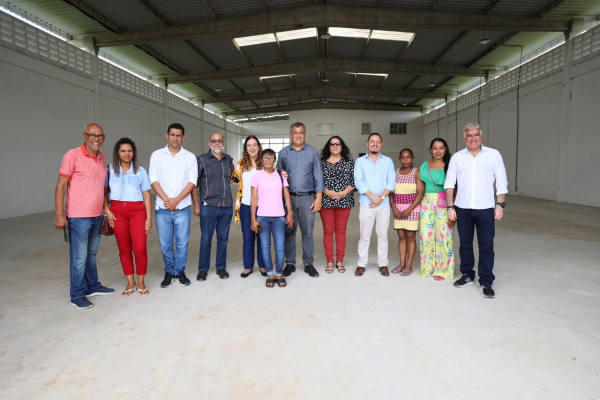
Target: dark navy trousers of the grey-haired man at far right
(467,220)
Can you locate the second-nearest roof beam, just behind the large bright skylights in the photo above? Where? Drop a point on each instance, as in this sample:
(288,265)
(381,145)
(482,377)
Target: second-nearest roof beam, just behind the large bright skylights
(327,64)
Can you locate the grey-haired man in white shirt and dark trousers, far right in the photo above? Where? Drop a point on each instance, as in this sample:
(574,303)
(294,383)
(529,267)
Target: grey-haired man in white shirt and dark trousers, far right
(475,169)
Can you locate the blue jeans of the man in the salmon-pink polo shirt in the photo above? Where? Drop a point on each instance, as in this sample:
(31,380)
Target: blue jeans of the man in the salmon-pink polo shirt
(84,238)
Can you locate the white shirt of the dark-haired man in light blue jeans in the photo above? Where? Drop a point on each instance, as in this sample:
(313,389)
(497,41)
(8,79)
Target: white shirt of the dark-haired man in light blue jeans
(173,173)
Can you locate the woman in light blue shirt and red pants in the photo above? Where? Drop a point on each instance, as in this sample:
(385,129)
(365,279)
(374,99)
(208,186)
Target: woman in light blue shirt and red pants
(130,212)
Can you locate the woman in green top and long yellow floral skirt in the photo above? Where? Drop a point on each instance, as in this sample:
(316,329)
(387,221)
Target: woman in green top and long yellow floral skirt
(436,244)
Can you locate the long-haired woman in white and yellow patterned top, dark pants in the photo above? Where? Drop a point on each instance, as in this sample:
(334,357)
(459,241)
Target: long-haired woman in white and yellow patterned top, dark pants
(242,173)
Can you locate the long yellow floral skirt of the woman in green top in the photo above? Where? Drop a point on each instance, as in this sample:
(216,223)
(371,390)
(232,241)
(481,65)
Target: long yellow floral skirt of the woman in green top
(436,239)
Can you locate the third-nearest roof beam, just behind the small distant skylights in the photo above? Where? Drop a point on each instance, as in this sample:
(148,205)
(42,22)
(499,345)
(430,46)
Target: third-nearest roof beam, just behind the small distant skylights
(324,90)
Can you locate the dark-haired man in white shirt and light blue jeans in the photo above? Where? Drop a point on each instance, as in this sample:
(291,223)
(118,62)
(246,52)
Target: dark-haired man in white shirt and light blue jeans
(173,174)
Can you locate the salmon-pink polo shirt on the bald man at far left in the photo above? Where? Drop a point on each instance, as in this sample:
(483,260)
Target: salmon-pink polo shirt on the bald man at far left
(85,190)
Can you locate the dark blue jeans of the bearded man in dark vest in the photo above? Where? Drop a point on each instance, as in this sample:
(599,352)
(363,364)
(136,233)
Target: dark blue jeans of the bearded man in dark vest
(212,218)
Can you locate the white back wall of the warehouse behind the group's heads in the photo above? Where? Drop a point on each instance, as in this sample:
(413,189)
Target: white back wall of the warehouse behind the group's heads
(347,125)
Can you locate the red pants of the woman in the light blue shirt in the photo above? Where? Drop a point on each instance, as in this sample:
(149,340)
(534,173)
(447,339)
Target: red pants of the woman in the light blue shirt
(130,232)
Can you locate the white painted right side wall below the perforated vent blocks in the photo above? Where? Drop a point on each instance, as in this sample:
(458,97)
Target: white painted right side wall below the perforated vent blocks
(540,135)
